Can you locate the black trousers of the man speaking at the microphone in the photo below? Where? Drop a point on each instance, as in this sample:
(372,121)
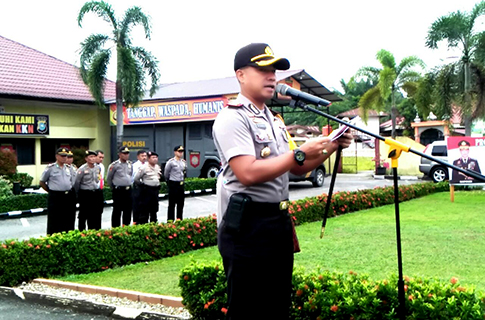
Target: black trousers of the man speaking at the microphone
(258,262)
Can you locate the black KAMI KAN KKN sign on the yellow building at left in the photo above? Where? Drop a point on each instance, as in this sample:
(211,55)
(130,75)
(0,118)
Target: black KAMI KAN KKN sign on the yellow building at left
(24,124)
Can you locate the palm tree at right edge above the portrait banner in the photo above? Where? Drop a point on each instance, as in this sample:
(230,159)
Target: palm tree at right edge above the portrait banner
(457,29)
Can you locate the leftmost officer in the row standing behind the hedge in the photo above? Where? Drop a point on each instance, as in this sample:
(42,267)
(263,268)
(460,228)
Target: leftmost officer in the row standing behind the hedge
(58,179)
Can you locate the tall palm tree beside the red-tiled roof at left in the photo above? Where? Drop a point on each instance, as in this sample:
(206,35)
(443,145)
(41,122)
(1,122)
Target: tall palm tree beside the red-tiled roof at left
(131,64)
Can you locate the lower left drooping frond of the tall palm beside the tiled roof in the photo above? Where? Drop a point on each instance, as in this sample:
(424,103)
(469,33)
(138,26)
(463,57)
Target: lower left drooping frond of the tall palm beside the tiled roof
(96,76)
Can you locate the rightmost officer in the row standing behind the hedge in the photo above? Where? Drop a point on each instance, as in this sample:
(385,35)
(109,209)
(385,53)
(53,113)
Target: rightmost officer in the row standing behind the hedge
(174,173)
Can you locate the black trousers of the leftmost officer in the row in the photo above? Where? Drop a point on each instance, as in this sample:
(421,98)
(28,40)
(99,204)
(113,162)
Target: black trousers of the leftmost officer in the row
(61,211)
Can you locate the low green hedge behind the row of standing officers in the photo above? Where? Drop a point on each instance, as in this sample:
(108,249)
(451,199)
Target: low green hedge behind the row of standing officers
(33,201)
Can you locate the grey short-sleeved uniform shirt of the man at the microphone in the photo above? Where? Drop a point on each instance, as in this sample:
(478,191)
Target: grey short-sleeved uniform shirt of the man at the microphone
(243,129)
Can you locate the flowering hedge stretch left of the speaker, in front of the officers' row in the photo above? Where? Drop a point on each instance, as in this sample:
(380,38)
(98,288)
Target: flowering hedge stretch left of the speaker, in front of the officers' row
(78,252)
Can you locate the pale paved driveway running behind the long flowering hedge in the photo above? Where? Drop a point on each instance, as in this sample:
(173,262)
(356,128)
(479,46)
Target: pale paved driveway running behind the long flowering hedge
(25,228)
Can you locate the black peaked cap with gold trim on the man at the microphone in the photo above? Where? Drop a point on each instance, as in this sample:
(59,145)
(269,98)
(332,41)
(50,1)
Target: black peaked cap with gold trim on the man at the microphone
(259,55)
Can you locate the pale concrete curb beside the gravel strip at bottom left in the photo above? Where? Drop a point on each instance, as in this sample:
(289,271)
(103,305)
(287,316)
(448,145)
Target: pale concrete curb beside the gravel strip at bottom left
(82,305)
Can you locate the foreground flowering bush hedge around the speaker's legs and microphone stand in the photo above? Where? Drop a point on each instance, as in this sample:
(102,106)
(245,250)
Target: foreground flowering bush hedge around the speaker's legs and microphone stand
(329,295)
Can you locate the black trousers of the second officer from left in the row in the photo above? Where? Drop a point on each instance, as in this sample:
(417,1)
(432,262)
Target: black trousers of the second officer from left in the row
(91,205)
